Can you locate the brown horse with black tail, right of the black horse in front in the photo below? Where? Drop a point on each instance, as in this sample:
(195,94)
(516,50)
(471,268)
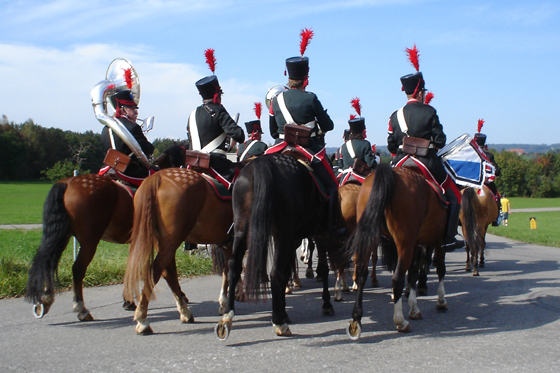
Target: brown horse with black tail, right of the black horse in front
(399,204)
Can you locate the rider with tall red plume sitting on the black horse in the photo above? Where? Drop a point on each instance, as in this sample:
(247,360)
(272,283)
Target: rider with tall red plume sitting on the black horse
(297,106)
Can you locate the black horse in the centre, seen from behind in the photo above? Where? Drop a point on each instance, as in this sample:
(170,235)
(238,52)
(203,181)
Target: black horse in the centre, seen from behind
(276,205)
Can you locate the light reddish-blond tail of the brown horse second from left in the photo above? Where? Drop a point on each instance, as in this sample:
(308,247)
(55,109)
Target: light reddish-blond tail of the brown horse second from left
(144,240)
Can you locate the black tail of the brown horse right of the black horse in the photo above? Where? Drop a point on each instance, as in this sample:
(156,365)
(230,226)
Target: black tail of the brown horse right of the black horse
(367,235)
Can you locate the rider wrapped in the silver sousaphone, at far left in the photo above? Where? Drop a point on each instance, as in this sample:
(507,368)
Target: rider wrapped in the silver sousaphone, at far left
(126,111)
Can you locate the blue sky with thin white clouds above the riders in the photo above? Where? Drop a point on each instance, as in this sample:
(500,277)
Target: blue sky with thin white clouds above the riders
(492,60)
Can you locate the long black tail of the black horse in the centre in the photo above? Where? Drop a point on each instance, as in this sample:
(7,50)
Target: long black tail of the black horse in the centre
(260,223)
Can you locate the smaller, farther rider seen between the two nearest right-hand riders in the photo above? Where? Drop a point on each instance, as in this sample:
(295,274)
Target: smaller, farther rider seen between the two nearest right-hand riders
(356,156)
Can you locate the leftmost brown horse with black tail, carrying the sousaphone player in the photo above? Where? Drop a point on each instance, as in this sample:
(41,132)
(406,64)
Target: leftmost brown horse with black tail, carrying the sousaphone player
(91,208)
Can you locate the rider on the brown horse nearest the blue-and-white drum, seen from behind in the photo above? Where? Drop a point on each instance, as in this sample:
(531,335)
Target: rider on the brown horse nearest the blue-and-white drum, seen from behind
(418,120)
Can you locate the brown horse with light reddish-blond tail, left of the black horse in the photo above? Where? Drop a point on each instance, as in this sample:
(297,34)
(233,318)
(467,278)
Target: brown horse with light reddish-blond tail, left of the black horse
(172,206)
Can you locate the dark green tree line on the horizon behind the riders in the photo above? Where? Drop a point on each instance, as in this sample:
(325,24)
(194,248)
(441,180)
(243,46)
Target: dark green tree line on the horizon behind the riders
(32,152)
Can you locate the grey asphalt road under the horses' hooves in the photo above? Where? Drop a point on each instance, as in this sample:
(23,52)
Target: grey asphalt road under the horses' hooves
(506,320)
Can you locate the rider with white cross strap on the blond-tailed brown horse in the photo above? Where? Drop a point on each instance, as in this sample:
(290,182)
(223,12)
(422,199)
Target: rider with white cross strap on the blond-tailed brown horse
(210,125)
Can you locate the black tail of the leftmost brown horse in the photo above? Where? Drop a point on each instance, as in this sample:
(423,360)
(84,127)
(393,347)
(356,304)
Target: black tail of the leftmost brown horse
(56,234)
